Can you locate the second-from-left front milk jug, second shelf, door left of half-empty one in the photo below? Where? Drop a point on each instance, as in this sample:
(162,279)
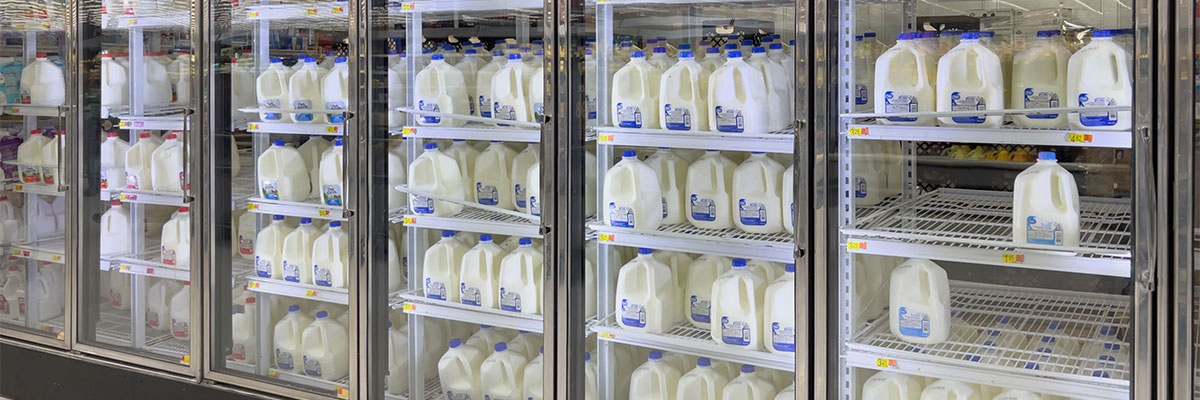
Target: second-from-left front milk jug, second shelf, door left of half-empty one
(709,187)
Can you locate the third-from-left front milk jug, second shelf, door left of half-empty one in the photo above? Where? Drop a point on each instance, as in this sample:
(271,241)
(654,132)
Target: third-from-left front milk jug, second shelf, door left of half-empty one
(757,195)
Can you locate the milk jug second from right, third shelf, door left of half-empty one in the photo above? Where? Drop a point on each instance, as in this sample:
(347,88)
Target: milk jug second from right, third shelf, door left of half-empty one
(737,308)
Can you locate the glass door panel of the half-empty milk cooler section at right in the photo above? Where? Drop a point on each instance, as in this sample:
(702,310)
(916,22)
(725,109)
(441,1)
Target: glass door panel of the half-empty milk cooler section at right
(985,200)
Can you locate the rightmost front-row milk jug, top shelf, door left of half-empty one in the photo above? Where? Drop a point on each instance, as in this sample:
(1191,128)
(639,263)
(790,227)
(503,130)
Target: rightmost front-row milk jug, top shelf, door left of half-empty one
(739,98)
